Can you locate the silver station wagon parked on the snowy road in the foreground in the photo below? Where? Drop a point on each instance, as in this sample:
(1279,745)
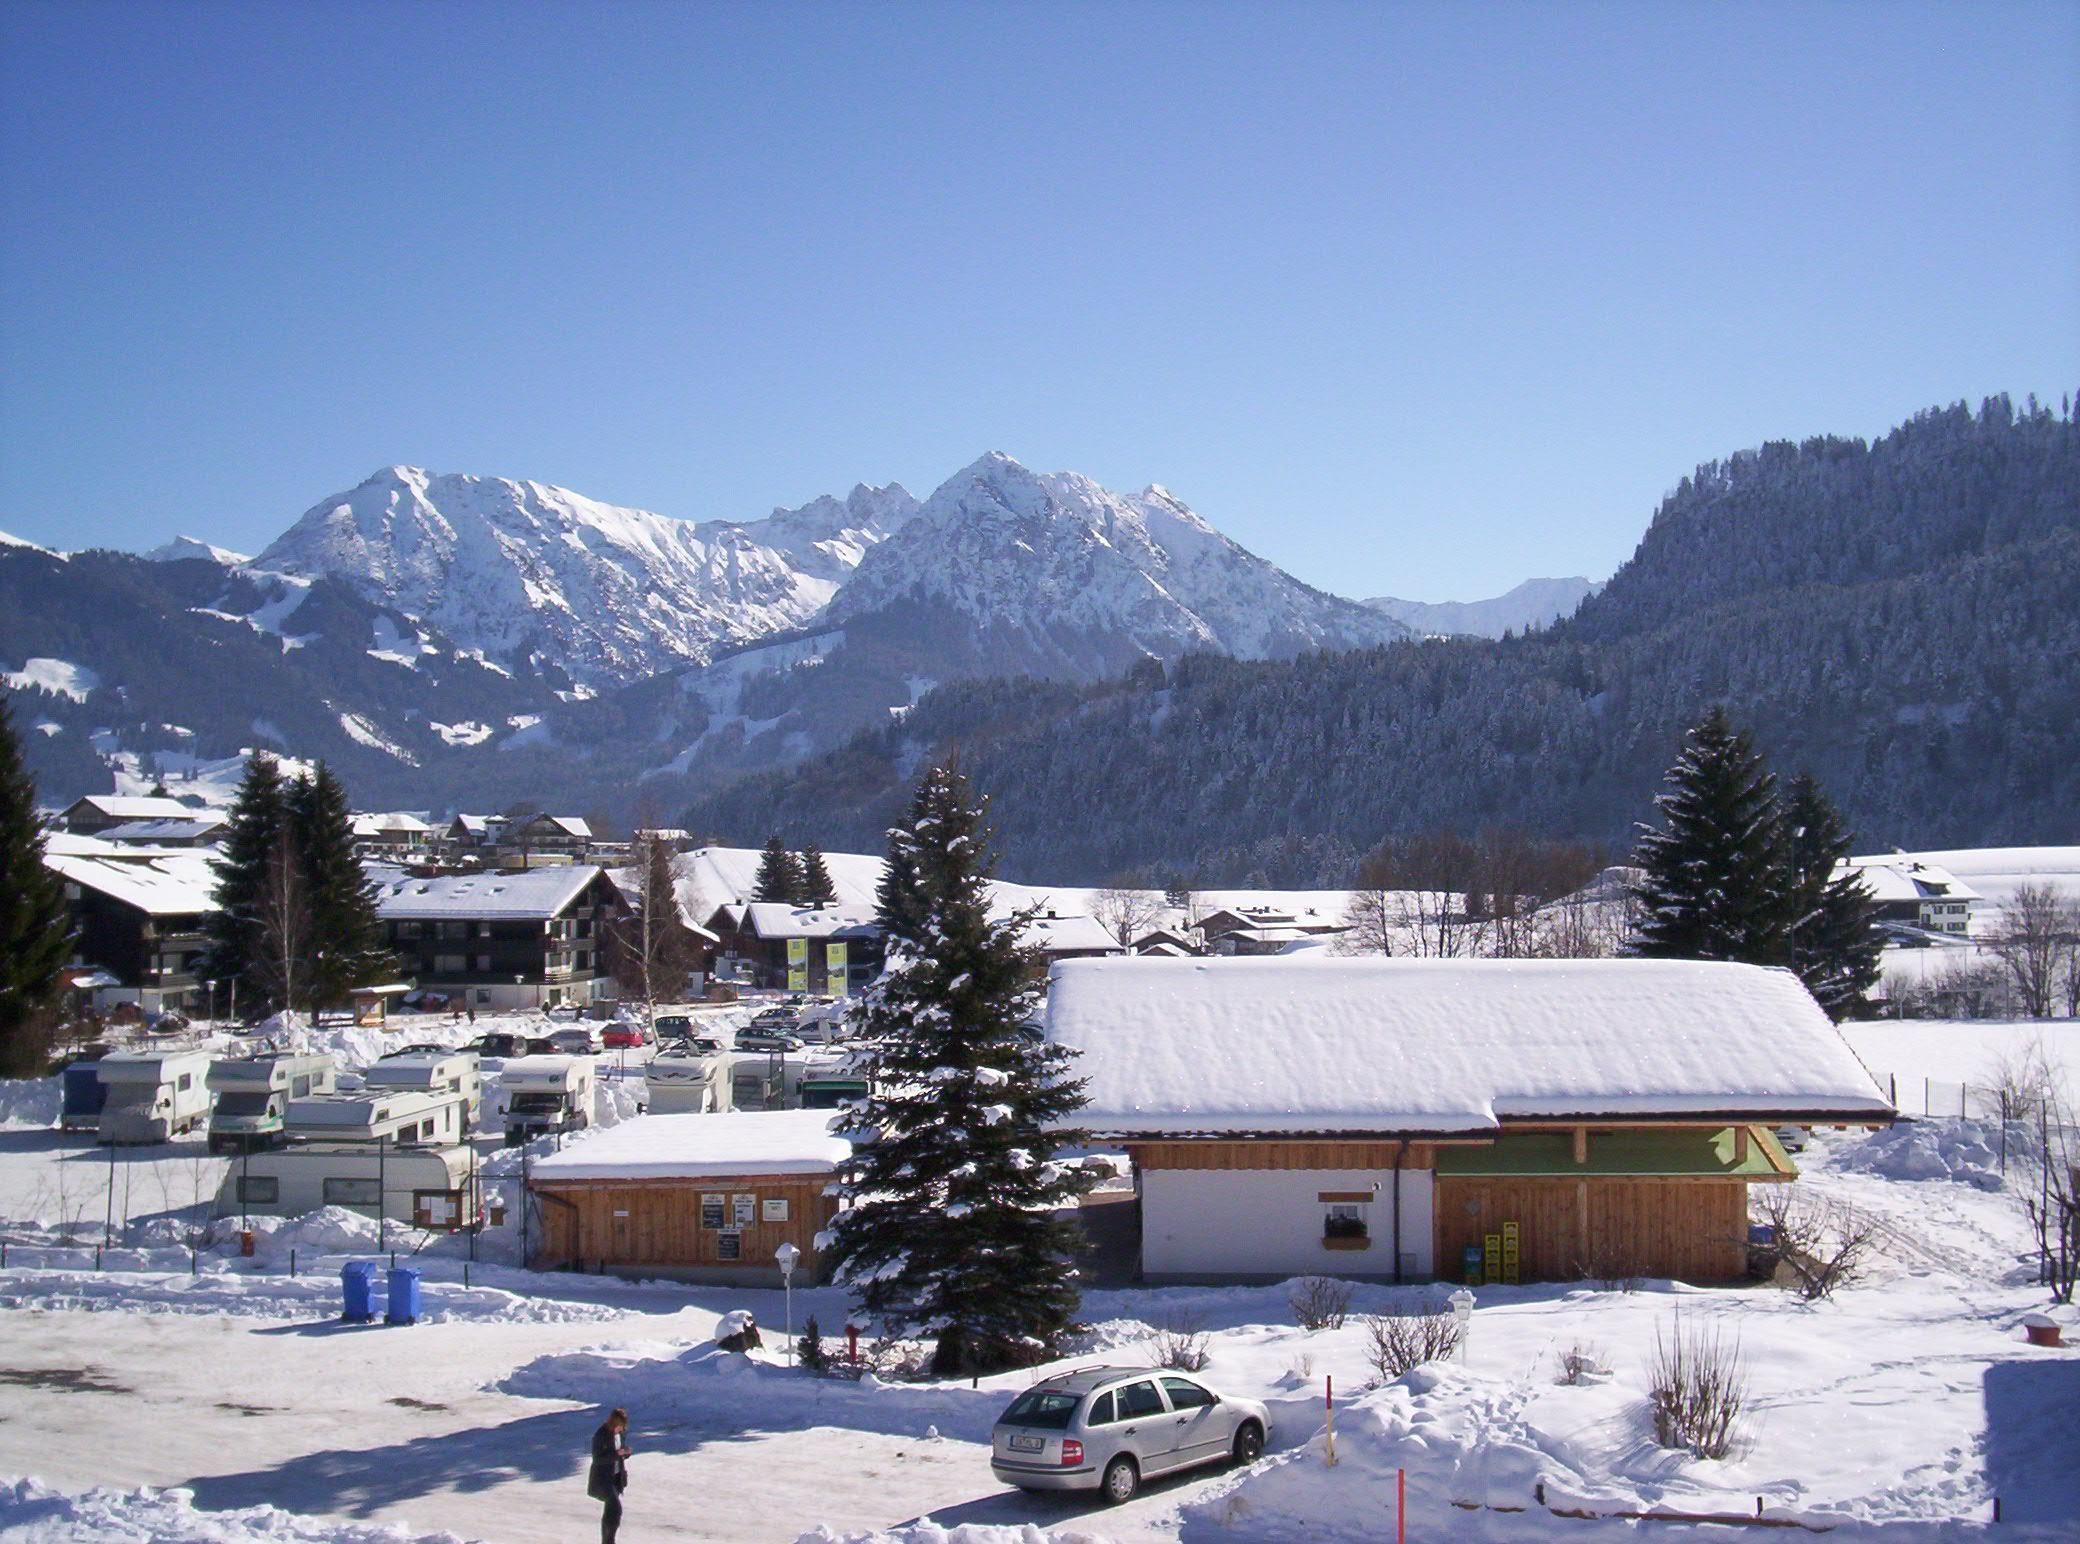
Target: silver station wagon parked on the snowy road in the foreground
(1112,1429)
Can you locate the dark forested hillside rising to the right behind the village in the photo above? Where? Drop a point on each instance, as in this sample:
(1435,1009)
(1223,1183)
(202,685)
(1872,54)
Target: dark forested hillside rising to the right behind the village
(1896,619)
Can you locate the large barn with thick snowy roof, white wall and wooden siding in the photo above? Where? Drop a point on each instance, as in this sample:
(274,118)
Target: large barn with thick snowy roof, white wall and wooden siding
(1445,1118)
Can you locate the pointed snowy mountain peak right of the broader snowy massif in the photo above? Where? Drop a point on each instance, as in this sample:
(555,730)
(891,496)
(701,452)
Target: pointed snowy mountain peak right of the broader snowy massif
(1068,580)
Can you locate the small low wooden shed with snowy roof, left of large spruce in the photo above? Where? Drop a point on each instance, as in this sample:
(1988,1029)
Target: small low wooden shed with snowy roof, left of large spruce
(692,1198)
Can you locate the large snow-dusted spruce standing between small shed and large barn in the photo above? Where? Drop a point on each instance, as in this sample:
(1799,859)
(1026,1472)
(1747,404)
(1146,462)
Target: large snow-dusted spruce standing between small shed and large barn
(952,1229)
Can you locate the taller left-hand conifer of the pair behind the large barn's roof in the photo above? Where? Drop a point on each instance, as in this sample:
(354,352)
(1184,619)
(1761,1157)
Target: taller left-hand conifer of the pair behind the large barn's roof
(1715,883)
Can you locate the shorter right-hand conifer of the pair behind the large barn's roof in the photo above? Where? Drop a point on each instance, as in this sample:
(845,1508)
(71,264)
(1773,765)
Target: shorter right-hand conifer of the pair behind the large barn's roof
(1831,919)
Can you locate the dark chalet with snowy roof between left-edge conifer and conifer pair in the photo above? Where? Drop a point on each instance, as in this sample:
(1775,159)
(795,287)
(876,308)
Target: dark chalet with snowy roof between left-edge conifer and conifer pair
(140,917)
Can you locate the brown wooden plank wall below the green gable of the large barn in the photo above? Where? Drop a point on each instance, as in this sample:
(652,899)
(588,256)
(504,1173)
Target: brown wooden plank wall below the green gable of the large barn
(1694,1231)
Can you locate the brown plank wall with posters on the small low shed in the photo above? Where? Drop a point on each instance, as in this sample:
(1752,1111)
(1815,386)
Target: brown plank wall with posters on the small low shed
(662,1225)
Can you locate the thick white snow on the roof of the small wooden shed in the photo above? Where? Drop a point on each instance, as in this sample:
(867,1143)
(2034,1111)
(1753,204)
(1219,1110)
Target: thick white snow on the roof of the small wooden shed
(725,1143)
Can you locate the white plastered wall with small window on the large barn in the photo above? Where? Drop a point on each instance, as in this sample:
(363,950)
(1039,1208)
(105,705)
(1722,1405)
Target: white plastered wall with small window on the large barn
(1268,1223)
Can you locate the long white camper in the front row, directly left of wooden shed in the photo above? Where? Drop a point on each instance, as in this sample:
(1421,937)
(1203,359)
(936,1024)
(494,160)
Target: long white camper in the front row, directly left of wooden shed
(427,1187)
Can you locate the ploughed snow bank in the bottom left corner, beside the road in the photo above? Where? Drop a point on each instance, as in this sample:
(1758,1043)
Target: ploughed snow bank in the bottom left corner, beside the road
(34,1514)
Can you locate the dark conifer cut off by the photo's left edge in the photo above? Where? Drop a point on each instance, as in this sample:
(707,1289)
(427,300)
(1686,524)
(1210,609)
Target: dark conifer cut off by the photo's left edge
(36,931)
